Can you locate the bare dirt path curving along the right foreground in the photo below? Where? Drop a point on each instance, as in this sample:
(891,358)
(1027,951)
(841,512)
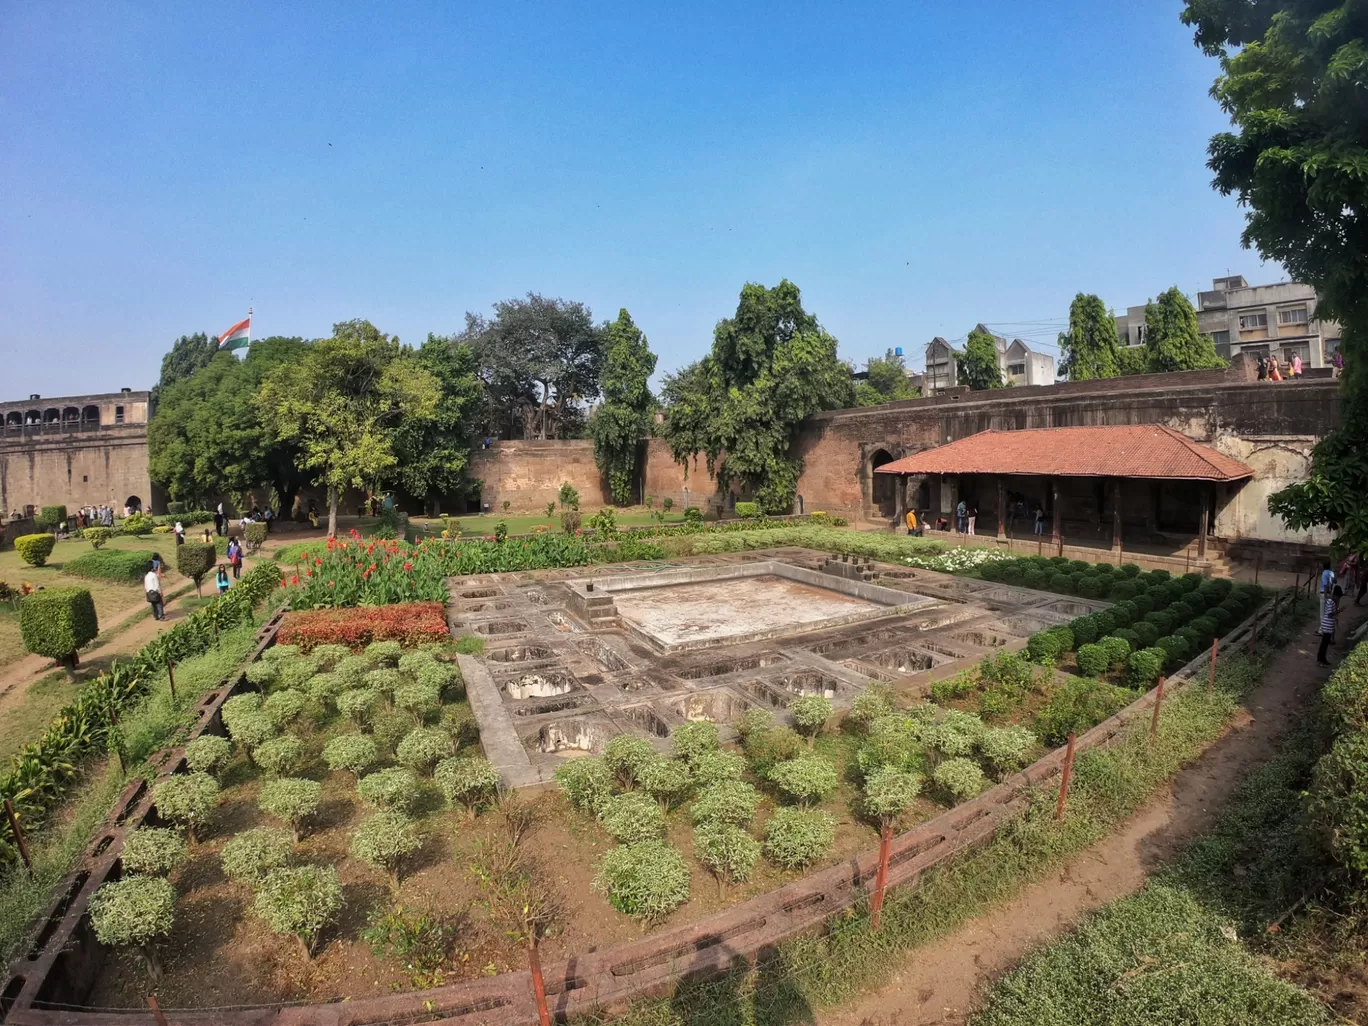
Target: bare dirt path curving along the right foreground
(940,984)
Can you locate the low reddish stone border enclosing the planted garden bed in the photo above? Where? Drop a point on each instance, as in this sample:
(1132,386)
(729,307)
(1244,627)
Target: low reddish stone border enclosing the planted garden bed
(65,958)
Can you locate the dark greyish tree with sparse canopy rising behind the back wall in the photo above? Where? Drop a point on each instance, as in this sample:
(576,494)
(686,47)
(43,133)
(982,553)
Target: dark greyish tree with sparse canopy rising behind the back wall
(540,360)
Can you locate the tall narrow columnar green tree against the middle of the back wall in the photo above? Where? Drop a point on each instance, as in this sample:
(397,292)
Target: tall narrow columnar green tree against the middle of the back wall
(624,418)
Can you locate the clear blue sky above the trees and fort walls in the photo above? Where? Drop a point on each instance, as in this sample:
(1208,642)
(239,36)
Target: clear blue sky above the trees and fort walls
(913,168)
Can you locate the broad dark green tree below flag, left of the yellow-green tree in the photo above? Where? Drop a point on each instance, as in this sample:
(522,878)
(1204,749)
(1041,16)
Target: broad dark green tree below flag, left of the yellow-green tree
(207,437)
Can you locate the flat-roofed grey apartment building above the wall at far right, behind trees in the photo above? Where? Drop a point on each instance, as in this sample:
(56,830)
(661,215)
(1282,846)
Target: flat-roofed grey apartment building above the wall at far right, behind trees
(1257,319)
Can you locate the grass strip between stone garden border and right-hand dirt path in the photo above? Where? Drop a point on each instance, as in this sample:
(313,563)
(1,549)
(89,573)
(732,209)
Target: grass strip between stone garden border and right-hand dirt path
(849,958)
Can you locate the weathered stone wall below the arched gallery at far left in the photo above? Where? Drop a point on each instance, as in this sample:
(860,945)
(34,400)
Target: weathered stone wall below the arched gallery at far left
(81,467)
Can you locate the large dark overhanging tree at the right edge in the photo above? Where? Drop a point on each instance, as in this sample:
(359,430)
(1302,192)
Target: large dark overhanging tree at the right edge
(1293,83)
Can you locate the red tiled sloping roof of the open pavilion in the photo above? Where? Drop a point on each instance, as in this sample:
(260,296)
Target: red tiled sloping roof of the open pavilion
(1142,451)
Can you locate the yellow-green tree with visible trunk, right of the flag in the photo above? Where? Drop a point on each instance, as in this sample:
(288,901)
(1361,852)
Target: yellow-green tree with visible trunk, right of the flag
(344,404)
